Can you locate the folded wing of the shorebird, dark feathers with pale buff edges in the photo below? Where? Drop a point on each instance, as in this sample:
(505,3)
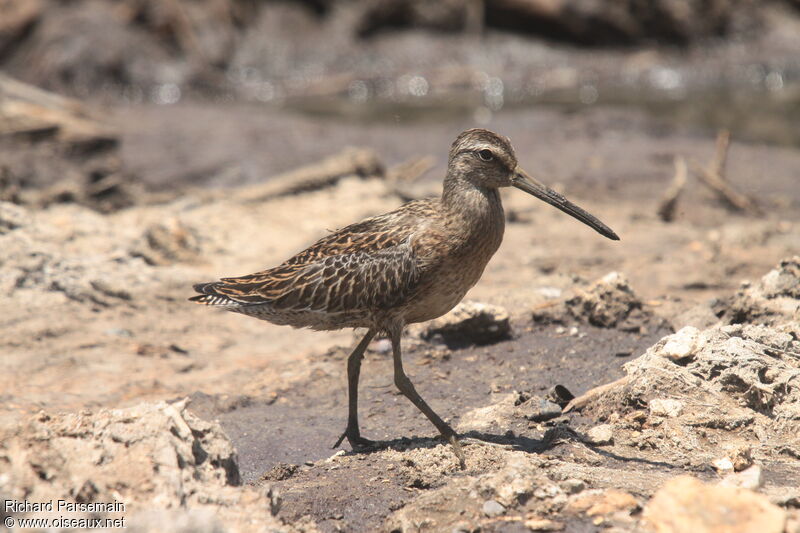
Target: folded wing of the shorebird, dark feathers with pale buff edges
(365,266)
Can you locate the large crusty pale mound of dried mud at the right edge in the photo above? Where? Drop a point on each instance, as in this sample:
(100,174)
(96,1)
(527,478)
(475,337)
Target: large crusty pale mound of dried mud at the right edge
(730,387)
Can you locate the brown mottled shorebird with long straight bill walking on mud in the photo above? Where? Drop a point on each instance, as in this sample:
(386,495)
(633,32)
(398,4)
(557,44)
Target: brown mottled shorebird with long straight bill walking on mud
(410,265)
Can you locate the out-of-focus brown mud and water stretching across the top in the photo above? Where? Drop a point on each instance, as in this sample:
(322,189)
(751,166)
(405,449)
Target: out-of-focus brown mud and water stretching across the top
(227,92)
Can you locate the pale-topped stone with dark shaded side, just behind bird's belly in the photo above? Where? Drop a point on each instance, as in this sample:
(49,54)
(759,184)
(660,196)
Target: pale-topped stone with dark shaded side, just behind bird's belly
(469,323)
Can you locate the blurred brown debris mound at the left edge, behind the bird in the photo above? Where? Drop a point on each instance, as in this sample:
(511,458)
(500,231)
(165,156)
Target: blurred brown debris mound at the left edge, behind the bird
(54,151)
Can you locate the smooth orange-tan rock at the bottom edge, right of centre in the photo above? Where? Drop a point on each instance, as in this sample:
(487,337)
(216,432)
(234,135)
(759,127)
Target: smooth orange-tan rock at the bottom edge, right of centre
(686,504)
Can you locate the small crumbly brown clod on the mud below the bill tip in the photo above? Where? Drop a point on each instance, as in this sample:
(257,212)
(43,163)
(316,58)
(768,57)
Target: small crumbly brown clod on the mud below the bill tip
(609,302)
